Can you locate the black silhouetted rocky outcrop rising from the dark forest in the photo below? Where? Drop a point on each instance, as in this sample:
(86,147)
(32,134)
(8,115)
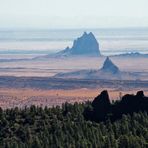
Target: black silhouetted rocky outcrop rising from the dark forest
(102,109)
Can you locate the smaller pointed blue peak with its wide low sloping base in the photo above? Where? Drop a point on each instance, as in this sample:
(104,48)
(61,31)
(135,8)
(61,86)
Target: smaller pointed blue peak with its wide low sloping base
(108,71)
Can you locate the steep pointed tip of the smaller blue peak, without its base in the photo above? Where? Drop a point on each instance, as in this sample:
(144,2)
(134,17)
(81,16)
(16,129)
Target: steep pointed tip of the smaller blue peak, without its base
(109,66)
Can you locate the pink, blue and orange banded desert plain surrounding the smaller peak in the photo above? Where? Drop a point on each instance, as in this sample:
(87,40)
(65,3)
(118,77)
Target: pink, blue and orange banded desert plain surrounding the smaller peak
(27,82)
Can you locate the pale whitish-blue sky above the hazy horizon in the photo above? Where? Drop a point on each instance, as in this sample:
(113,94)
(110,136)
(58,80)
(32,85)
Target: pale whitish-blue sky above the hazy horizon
(73,13)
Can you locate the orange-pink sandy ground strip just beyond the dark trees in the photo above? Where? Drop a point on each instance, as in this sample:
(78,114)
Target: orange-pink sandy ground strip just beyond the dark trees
(25,97)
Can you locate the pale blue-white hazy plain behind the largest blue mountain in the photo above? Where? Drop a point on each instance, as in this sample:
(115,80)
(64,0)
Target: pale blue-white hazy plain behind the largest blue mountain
(37,42)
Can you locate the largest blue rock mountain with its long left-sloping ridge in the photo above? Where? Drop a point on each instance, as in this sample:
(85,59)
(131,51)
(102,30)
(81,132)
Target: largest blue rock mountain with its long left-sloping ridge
(86,45)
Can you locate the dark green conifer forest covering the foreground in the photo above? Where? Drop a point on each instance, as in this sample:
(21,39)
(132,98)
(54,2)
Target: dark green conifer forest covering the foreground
(66,127)
